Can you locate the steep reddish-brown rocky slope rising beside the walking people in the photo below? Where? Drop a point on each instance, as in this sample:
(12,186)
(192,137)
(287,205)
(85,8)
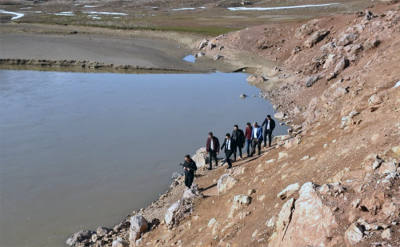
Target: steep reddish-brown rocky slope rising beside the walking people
(334,180)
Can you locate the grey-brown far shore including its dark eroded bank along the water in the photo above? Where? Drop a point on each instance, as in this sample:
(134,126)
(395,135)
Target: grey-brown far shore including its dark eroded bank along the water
(88,49)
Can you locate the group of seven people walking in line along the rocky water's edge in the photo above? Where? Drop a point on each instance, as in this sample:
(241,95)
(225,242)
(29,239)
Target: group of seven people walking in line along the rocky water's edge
(253,137)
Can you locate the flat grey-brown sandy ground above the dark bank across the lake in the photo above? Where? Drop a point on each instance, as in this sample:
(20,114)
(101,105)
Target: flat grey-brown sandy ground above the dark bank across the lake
(144,49)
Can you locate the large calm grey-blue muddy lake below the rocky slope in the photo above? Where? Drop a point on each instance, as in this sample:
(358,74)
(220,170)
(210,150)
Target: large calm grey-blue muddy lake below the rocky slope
(81,150)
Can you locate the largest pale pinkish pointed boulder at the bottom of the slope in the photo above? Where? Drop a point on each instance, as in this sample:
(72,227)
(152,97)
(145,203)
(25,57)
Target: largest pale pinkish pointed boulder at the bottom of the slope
(312,223)
